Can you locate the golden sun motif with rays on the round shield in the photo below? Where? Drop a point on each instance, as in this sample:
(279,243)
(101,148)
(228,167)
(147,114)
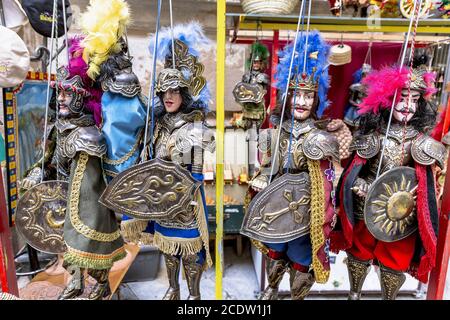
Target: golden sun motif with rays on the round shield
(395,206)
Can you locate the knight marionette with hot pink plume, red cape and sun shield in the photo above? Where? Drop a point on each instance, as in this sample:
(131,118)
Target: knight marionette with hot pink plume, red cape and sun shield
(388,211)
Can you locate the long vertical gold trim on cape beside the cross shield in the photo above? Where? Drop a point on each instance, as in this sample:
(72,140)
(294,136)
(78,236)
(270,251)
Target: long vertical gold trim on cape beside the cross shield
(317,219)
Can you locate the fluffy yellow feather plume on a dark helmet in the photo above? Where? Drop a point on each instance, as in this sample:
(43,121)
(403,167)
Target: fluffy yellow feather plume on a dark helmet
(103,23)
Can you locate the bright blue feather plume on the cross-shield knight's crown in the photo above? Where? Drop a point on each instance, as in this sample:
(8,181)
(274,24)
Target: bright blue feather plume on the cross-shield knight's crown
(315,44)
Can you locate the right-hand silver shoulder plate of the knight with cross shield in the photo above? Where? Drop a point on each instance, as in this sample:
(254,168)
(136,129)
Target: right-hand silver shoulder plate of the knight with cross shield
(320,145)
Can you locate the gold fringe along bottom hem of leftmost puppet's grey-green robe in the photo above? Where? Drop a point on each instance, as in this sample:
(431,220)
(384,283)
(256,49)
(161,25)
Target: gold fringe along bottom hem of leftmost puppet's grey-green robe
(93,261)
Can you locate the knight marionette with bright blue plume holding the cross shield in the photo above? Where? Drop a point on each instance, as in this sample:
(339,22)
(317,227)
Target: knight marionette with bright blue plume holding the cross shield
(289,218)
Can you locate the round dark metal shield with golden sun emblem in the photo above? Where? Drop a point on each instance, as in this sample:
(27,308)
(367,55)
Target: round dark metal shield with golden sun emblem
(390,212)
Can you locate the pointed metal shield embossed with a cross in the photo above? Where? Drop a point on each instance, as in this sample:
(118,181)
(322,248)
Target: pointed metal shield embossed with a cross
(281,212)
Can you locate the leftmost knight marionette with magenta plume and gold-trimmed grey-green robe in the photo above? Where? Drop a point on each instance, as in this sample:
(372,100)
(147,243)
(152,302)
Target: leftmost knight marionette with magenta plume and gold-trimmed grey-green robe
(74,151)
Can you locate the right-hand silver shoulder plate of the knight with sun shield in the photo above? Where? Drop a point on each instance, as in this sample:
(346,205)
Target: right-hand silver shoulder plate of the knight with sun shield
(425,150)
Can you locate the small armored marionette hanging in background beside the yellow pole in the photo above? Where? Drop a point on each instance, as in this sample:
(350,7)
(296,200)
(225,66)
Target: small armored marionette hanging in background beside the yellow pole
(250,92)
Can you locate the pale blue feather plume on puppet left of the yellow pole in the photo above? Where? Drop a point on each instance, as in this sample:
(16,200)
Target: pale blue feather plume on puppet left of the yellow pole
(195,39)
